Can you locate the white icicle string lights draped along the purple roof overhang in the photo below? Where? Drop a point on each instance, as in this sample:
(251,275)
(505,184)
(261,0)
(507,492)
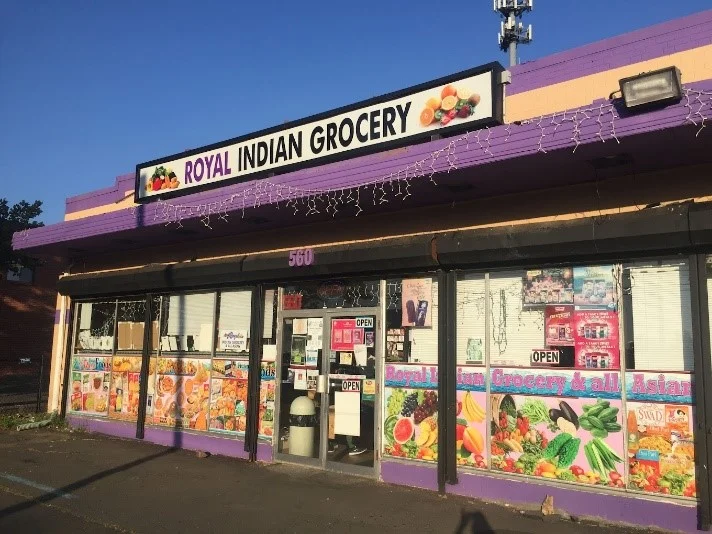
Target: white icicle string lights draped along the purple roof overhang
(396,185)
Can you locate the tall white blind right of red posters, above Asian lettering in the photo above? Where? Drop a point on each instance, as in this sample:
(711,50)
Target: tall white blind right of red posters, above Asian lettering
(662,317)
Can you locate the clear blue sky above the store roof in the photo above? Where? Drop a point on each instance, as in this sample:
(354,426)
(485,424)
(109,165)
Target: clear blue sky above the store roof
(89,89)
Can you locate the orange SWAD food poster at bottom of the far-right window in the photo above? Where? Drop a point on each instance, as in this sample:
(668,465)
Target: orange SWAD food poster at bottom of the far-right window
(661,448)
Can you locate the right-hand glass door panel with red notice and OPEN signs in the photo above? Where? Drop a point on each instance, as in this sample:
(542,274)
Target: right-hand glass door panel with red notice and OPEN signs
(352,391)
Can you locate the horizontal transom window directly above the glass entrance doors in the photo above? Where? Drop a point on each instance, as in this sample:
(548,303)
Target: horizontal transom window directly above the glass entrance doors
(331,294)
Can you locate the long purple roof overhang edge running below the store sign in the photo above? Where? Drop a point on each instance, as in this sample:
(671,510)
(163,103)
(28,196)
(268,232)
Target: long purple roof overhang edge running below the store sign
(507,142)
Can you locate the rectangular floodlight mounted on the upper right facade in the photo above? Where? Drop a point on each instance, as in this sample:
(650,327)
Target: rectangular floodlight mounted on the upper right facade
(652,88)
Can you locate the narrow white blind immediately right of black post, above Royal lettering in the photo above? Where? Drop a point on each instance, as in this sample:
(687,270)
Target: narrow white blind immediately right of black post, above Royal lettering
(470,309)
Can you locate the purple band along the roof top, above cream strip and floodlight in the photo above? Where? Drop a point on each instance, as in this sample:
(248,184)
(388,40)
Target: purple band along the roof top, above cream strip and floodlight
(654,41)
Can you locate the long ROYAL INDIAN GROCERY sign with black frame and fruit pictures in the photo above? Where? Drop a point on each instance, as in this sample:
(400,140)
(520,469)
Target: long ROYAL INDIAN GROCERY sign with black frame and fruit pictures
(465,101)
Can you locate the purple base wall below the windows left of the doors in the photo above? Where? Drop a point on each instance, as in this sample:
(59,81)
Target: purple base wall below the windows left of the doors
(214,444)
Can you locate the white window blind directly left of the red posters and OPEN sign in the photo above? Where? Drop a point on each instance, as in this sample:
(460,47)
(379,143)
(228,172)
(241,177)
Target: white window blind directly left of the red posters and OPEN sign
(515,331)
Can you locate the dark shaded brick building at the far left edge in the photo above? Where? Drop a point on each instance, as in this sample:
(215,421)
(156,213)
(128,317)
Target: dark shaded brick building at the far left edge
(27,317)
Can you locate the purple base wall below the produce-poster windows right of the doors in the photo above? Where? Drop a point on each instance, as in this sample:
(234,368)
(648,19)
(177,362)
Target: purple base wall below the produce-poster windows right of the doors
(610,506)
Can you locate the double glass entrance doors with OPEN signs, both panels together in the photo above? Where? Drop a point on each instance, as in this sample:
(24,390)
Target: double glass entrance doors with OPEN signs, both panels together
(327,394)
